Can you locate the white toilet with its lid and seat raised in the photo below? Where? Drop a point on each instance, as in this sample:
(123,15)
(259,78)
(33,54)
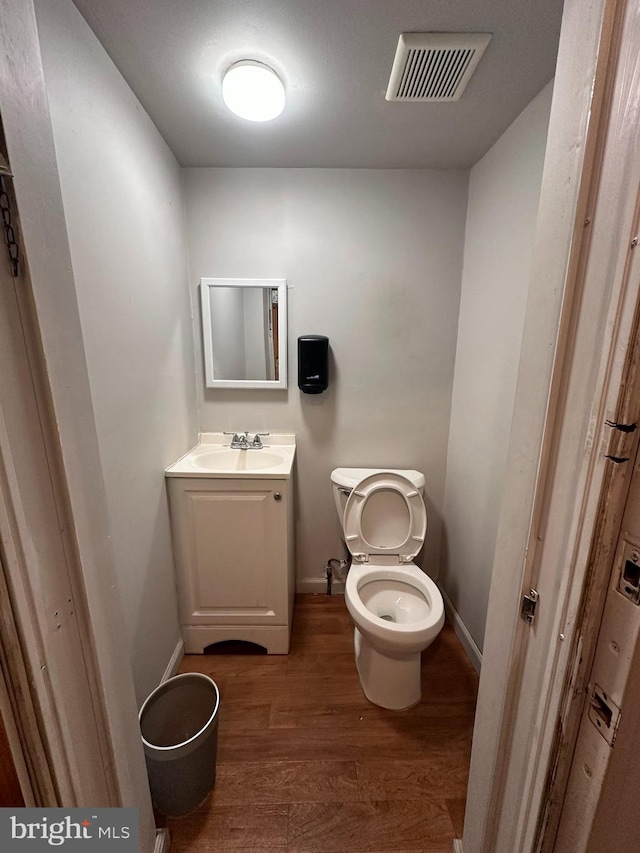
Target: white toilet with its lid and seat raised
(397,609)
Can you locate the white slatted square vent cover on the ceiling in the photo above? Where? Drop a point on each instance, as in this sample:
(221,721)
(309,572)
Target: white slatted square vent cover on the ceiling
(434,66)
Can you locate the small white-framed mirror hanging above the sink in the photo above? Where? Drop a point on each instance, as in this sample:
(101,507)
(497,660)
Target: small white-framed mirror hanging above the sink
(244,332)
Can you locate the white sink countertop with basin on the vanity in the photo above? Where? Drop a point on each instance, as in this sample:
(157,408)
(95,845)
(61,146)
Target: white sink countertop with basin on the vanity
(213,457)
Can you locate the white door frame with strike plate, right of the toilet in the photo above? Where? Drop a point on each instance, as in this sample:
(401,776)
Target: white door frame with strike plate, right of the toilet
(579,334)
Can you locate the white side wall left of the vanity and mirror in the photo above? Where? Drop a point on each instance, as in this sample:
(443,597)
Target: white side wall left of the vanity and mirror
(123,205)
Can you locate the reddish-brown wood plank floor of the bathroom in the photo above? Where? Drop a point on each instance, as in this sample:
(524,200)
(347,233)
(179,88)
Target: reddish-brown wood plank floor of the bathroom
(307,765)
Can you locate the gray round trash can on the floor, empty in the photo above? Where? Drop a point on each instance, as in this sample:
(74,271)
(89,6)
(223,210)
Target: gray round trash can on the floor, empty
(179,727)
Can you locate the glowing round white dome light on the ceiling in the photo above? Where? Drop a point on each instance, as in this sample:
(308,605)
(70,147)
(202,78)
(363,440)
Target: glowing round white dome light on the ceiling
(253,91)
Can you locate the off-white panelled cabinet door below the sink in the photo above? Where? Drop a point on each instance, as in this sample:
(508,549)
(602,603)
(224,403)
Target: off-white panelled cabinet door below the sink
(230,543)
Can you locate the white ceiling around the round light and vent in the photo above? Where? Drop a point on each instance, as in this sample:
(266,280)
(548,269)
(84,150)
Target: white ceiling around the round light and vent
(335,57)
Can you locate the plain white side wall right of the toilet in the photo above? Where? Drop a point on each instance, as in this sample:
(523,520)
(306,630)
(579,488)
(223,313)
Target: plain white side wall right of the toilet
(504,190)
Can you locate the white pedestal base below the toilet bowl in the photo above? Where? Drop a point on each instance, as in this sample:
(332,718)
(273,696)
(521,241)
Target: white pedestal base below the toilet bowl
(387,681)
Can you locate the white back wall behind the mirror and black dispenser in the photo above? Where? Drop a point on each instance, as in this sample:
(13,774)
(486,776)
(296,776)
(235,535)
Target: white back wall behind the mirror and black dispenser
(373,260)
